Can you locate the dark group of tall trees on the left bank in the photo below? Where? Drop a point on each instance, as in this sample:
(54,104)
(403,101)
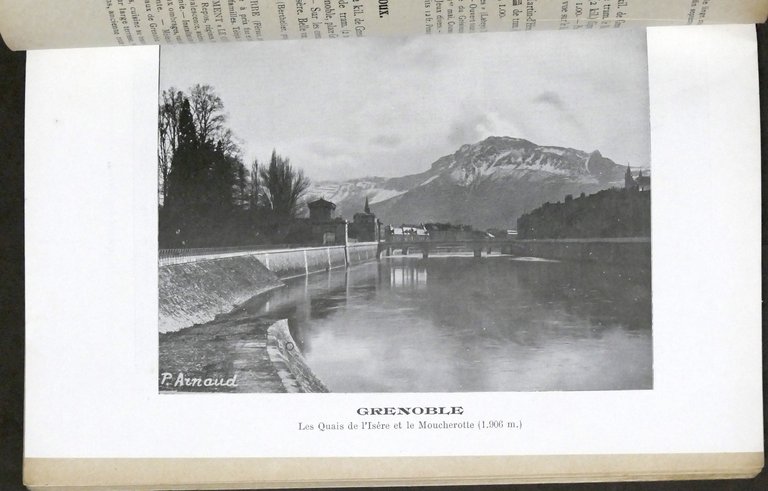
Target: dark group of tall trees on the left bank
(207,195)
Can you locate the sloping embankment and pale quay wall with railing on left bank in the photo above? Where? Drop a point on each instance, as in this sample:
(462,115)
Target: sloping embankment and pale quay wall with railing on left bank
(194,288)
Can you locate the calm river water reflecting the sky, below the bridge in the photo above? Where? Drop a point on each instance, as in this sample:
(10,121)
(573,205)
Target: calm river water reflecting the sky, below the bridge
(458,323)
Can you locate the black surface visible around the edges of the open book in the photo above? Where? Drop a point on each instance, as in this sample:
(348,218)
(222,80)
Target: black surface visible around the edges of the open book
(12,287)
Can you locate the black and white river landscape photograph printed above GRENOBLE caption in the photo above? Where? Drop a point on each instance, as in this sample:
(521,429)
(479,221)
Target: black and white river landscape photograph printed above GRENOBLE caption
(429,214)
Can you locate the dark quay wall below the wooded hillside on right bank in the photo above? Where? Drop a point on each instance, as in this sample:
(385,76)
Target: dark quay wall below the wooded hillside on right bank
(631,250)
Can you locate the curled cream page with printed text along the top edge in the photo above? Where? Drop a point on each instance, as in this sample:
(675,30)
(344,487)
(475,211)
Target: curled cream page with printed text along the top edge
(30,24)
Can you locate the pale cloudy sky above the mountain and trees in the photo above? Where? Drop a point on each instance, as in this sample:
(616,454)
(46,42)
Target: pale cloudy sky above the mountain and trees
(343,109)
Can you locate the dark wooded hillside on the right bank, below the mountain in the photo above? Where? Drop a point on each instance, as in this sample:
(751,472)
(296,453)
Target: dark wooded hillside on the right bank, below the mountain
(608,213)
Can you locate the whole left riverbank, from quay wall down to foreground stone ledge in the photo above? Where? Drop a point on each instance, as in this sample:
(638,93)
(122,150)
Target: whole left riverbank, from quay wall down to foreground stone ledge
(202,331)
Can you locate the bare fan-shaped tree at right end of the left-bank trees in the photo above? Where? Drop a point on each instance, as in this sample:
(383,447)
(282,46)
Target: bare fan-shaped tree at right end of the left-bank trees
(282,186)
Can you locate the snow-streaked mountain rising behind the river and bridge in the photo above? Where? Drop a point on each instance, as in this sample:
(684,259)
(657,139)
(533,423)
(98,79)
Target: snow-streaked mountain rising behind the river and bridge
(485,184)
